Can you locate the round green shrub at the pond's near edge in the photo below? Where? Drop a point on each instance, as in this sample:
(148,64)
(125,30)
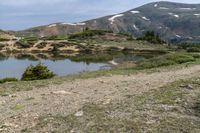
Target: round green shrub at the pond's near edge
(37,72)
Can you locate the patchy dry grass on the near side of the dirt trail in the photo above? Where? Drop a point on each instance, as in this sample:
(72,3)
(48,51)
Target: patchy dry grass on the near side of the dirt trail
(168,109)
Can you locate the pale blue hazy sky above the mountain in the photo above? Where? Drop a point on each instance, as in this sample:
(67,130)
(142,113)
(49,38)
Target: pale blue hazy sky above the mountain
(22,14)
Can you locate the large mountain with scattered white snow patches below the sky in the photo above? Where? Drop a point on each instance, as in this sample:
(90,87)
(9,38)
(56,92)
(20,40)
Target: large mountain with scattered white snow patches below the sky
(173,21)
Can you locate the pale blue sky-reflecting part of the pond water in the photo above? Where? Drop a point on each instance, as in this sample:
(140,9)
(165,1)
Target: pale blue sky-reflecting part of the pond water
(13,67)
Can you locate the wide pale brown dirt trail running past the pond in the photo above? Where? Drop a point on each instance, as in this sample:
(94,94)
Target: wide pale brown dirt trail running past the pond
(23,108)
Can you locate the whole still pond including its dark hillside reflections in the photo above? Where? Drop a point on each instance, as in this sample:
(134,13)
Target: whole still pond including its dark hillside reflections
(15,66)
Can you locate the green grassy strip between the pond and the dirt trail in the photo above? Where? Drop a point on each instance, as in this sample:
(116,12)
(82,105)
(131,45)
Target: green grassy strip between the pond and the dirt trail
(179,60)
